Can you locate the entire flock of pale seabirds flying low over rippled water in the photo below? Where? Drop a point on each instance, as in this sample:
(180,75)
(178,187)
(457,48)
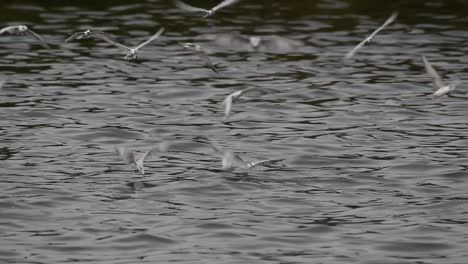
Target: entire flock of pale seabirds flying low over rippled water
(230,160)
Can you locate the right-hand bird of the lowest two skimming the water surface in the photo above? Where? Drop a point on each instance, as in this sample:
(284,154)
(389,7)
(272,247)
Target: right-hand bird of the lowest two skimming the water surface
(231,160)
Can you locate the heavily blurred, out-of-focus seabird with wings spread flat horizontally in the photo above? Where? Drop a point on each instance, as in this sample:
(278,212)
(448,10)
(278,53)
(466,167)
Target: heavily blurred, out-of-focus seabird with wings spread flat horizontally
(272,43)
